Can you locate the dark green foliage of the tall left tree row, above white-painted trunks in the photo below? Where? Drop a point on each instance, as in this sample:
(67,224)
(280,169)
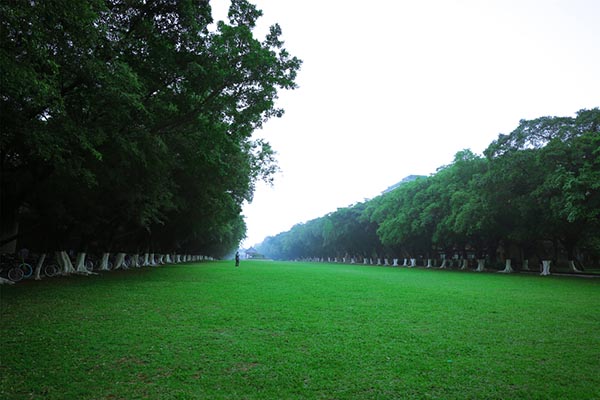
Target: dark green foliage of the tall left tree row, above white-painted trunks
(126,126)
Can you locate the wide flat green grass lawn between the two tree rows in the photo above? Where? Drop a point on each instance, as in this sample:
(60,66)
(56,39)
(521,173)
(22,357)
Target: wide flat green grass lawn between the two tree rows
(272,330)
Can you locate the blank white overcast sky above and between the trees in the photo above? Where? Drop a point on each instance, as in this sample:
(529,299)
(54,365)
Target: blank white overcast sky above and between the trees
(394,88)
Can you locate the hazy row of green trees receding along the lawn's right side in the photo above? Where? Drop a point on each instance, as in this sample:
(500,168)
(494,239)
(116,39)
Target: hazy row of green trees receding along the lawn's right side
(532,197)
